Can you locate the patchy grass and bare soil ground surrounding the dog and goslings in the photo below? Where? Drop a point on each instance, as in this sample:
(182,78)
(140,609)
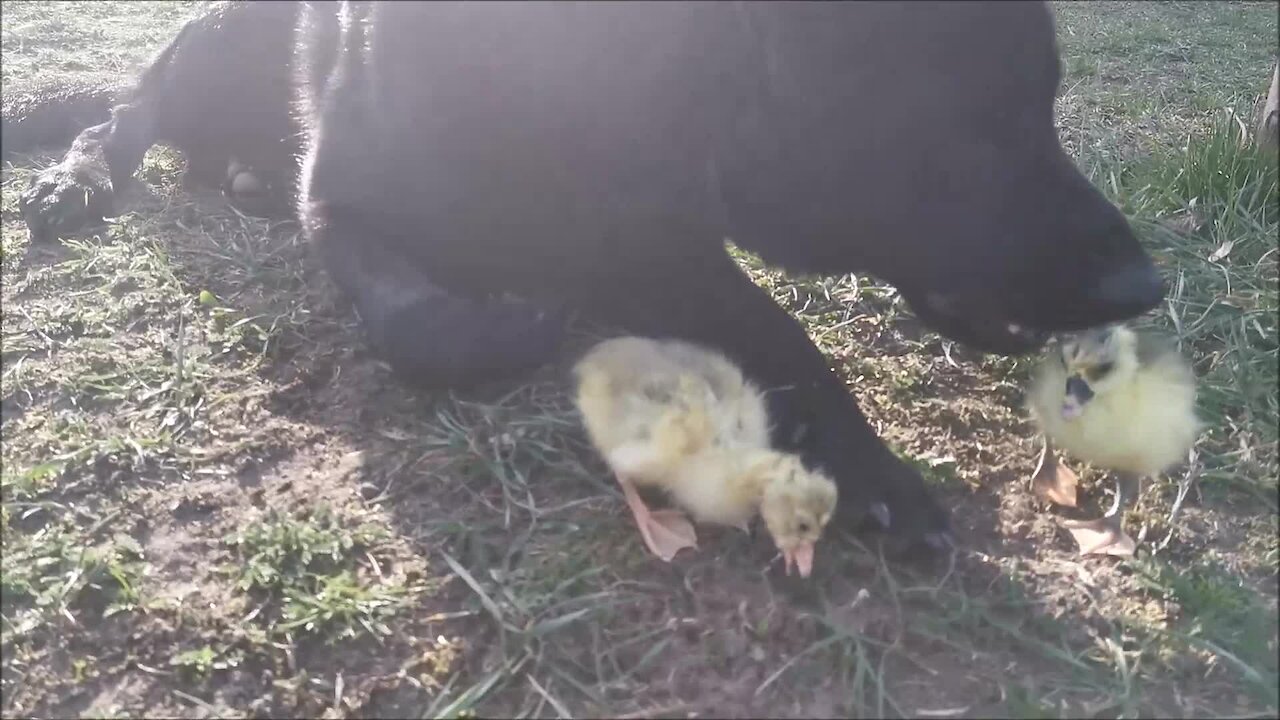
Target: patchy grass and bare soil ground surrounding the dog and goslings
(214,502)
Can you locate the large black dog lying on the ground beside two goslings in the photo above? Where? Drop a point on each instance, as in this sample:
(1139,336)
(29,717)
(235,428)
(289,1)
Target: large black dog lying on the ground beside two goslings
(595,157)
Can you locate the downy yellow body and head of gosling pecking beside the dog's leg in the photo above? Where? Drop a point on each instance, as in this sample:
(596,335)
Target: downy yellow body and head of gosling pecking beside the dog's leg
(674,416)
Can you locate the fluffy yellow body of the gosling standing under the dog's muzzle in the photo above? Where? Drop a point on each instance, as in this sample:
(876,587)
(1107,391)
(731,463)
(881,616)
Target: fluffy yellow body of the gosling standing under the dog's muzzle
(1141,420)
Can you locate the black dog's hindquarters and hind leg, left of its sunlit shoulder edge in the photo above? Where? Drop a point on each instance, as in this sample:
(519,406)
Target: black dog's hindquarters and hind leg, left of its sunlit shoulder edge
(220,90)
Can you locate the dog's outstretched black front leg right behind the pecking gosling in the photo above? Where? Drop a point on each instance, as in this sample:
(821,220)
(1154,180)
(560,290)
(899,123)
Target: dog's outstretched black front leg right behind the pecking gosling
(712,303)
